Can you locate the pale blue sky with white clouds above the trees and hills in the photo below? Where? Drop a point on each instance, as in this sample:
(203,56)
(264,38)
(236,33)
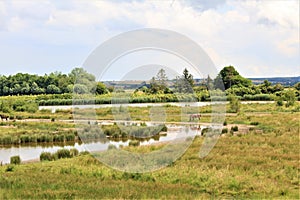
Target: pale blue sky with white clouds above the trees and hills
(259,38)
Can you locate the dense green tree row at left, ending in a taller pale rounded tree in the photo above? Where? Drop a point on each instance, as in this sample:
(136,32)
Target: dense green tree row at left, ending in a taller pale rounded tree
(78,80)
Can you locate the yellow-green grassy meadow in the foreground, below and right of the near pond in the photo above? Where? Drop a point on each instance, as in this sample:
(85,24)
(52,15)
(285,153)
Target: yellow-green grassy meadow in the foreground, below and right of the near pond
(255,165)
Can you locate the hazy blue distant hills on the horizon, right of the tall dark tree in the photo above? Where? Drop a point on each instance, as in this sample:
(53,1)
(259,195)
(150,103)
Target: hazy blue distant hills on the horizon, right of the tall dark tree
(286,81)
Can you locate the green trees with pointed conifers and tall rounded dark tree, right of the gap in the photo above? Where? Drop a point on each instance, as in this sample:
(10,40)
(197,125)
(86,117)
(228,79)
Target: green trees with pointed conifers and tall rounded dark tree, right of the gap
(228,80)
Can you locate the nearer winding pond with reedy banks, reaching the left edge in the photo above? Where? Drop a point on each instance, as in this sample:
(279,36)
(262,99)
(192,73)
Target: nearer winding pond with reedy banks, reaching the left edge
(32,152)
